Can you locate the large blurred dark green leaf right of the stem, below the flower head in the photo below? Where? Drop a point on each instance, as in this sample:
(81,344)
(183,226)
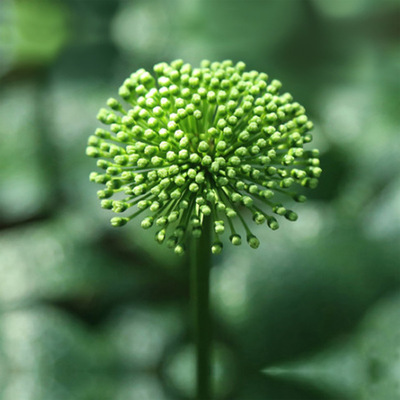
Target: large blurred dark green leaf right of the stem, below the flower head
(297,293)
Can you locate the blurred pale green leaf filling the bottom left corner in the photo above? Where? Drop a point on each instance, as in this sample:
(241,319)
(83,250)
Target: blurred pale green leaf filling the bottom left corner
(45,355)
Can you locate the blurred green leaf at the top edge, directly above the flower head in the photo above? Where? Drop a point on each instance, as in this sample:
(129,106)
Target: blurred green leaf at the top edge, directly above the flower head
(214,30)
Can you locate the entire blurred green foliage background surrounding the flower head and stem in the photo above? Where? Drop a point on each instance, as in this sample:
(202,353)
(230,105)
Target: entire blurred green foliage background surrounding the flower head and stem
(88,312)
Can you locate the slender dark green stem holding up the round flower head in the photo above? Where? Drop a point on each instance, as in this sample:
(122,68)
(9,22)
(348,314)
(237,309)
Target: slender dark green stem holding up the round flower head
(200,297)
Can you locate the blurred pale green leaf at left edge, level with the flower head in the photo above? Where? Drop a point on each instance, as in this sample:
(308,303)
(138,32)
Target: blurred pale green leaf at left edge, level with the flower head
(25,188)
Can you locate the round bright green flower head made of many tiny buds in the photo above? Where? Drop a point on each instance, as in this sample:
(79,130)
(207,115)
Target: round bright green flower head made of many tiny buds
(197,143)
